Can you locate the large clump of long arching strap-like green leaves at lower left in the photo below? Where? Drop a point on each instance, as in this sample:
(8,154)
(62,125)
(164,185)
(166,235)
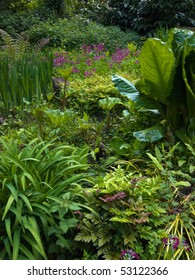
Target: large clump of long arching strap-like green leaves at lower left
(39,190)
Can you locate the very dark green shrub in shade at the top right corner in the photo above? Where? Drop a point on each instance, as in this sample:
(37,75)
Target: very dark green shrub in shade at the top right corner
(144,16)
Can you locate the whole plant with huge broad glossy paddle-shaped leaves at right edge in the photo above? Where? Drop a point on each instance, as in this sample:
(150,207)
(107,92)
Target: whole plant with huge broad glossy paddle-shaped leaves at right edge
(166,86)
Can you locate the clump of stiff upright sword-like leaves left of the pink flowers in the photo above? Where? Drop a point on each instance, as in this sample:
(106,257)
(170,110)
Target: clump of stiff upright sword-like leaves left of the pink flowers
(24,79)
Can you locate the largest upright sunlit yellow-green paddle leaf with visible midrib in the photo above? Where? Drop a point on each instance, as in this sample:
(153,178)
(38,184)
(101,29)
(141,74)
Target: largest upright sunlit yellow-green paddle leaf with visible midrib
(157,68)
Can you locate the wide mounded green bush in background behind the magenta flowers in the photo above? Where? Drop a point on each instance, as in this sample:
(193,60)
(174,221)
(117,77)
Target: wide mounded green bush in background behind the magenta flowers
(72,33)
